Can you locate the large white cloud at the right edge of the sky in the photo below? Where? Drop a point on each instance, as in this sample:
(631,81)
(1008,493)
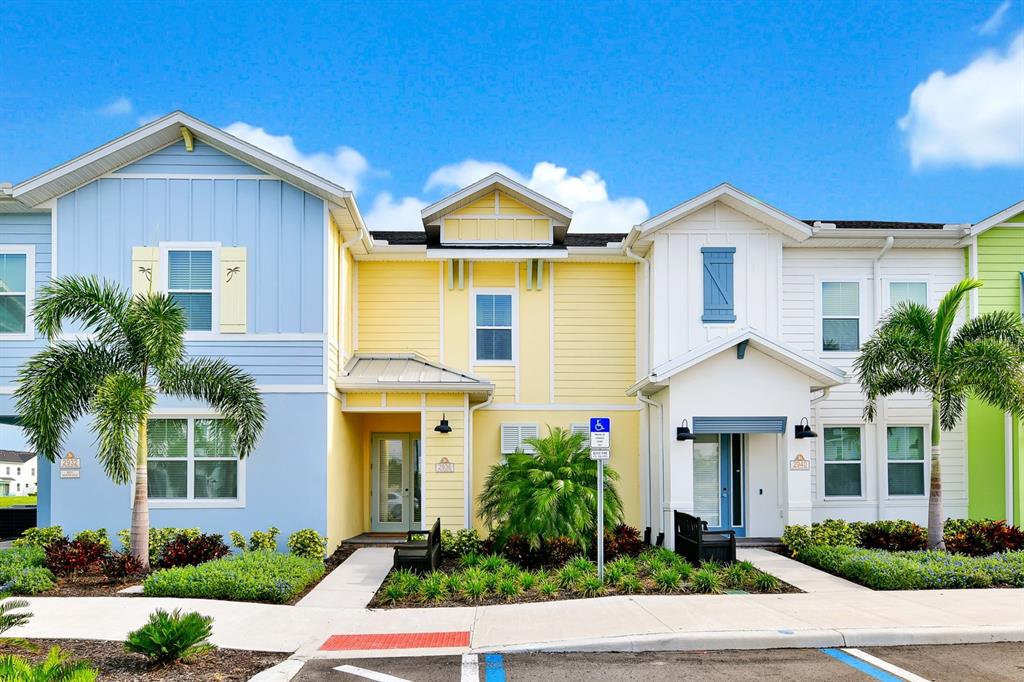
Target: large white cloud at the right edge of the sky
(974,117)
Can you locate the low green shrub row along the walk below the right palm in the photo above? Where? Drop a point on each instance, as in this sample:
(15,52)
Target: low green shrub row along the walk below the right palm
(880,570)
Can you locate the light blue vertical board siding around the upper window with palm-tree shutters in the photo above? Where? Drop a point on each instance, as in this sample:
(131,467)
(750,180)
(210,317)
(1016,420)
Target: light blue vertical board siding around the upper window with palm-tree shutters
(281,227)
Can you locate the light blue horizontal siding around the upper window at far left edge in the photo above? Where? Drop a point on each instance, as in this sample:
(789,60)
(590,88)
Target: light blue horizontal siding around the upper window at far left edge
(25,230)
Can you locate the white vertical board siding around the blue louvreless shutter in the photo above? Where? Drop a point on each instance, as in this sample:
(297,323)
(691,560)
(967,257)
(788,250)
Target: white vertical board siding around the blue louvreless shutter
(678,280)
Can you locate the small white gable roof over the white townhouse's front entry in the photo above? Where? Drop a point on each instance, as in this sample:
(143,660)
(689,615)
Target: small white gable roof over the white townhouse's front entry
(825,375)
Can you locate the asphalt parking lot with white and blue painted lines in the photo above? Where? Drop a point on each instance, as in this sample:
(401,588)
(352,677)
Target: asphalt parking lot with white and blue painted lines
(992,663)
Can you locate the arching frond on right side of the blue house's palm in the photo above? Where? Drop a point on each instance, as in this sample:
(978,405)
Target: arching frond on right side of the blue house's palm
(226,388)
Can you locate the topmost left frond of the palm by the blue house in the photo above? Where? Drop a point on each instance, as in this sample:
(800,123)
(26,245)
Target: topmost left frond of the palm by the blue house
(102,307)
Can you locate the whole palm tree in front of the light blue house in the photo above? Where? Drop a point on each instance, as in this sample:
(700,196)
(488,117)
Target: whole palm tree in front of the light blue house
(135,350)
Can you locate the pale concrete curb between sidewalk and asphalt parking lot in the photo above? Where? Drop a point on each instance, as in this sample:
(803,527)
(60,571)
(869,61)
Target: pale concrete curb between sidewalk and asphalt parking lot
(775,640)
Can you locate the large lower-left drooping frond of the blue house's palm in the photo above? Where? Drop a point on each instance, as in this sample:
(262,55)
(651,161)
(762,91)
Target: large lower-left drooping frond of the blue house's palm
(56,388)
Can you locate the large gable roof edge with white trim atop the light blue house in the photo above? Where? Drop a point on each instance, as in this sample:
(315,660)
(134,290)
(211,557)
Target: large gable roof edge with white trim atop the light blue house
(160,134)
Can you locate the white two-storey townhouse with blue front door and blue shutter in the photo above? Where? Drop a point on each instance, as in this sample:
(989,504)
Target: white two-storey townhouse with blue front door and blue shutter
(750,324)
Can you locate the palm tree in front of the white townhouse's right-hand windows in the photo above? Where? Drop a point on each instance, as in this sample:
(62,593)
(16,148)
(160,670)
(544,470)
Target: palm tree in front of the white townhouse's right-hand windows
(915,350)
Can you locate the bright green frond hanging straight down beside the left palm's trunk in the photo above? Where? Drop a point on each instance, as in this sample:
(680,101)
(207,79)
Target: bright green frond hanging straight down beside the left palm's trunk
(121,403)
